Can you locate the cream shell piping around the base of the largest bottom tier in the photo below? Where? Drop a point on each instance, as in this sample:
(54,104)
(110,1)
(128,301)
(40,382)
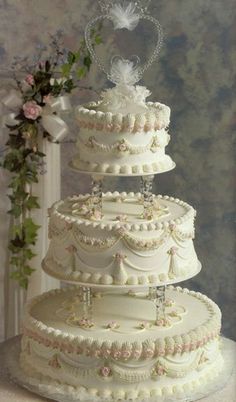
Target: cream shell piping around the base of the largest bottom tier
(166,391)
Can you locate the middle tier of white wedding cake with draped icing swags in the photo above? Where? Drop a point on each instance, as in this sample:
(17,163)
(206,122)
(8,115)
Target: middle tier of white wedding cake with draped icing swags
(121,247)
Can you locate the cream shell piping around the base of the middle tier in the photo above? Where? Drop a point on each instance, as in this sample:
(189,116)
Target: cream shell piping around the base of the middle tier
(90,279)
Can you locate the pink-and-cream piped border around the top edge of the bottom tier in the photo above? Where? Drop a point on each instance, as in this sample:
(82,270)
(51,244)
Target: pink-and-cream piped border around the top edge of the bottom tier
(169,345)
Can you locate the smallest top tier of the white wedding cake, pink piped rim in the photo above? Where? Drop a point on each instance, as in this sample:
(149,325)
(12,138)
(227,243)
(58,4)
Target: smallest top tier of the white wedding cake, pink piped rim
(123,143)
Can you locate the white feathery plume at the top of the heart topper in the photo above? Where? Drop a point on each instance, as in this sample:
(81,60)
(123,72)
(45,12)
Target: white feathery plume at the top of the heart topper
(124,16)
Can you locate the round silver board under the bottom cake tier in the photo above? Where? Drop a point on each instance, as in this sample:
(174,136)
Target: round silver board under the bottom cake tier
(60,393)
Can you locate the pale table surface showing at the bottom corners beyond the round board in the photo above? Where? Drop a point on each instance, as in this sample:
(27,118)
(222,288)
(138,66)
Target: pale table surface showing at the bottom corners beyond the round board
(11,392)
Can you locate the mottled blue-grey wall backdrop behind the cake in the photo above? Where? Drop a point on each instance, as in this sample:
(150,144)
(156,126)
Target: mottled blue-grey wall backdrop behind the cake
(195,77)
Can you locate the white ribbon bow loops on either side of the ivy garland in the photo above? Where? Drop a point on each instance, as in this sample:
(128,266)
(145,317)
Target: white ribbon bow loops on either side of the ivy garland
(51,121)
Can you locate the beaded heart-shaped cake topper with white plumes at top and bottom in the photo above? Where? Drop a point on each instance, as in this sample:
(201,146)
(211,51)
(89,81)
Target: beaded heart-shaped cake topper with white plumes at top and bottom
(124,16)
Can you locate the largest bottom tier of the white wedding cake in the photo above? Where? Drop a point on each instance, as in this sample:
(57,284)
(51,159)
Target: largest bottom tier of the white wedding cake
(122,351)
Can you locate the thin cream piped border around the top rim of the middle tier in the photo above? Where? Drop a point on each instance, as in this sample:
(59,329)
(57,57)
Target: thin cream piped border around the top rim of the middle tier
(190,213)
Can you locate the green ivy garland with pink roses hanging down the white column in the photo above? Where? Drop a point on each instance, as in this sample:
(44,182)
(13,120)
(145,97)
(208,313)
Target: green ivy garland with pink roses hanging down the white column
(59,74)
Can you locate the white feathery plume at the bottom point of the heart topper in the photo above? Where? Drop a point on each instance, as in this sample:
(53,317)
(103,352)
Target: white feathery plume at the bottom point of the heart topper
(124,71)
